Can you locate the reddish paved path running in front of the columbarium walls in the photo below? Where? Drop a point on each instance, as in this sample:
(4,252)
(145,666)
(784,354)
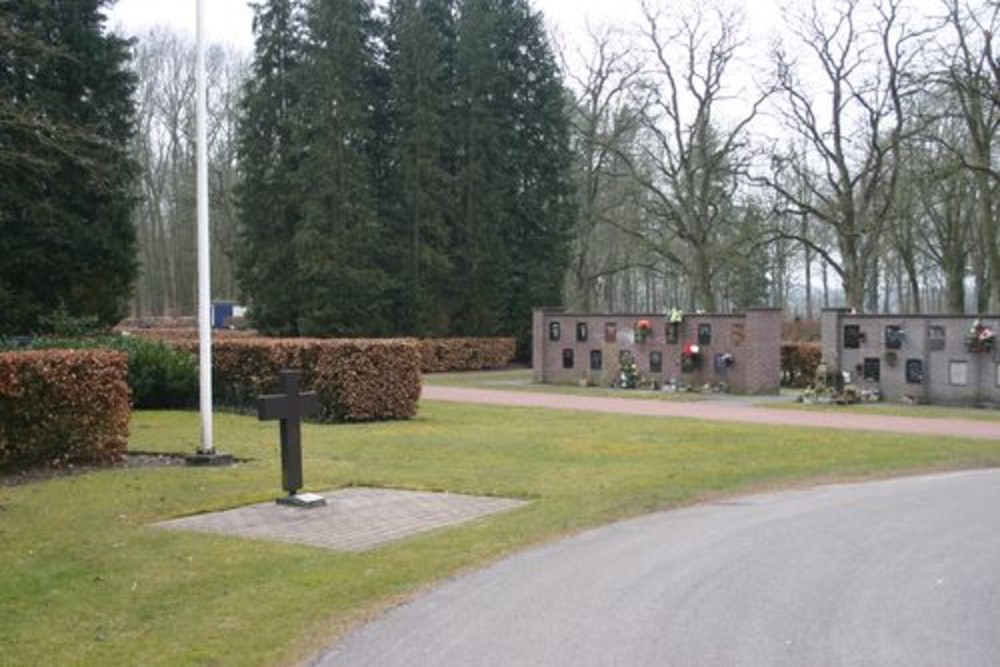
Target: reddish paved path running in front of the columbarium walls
(728,412)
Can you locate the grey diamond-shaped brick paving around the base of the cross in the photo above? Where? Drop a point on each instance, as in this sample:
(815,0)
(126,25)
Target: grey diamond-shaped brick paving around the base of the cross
(354,519)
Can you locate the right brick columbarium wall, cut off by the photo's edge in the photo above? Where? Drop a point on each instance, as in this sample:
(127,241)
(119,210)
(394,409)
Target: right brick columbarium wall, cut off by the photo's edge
(922,358)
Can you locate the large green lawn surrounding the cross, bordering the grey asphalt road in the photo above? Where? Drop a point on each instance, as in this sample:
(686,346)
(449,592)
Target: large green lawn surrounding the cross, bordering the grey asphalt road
(85,580)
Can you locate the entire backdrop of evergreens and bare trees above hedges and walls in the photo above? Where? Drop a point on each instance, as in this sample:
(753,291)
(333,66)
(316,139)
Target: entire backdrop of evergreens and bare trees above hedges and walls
(431,169)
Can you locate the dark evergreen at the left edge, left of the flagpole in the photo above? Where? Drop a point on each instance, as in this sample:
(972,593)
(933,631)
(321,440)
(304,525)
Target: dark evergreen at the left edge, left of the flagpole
(66,115)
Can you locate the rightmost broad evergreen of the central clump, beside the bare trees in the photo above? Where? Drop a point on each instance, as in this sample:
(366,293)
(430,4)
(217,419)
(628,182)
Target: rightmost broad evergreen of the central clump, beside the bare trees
(514,170)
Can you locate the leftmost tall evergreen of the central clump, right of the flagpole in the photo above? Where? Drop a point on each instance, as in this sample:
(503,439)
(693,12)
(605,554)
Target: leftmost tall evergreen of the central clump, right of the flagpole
(269,201)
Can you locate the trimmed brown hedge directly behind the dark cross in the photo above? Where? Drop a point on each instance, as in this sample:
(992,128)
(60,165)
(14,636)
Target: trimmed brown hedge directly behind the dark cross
(357,380)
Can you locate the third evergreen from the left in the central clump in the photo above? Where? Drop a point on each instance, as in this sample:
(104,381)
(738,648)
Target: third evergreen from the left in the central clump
(421,68)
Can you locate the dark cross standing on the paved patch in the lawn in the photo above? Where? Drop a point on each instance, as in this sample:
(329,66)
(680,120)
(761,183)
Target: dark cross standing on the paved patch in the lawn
(290,407)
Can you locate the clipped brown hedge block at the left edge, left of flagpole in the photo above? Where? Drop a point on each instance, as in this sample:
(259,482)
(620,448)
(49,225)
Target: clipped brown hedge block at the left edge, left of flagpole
(63,406)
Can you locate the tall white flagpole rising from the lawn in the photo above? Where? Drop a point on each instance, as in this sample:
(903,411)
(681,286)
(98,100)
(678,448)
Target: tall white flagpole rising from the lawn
(204,250)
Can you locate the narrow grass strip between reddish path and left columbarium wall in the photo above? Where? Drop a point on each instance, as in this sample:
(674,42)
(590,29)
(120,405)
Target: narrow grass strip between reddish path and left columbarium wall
(520,380)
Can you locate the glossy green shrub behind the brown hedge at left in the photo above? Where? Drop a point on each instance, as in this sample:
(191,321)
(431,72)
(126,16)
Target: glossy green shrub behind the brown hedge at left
(160,375)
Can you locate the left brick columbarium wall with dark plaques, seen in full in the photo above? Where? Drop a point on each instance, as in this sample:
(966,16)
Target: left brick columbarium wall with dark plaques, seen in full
(572,348)
